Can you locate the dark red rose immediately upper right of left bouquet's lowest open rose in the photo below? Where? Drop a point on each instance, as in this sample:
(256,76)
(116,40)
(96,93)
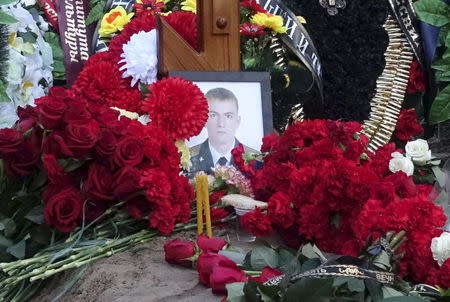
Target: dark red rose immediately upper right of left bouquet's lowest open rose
(100,183)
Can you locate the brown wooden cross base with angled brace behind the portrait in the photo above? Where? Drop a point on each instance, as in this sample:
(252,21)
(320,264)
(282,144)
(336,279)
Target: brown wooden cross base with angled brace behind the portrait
(219,40)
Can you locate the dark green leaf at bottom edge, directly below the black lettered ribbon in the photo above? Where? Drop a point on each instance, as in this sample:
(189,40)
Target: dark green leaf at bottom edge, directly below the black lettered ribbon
(311,290)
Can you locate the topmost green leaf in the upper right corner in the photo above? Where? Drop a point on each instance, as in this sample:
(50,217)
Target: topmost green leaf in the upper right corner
(434,12)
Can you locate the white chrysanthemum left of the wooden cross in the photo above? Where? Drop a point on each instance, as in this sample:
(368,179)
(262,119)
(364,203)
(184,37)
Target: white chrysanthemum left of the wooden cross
(140,56)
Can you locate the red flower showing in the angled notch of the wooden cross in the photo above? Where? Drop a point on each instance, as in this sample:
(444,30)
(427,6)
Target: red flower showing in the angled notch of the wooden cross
(185,24)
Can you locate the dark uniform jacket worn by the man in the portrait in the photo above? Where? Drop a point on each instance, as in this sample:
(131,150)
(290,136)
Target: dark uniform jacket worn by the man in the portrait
(201,157)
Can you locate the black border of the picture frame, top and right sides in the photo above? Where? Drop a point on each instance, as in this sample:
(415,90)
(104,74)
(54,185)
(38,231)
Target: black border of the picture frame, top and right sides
(237,76)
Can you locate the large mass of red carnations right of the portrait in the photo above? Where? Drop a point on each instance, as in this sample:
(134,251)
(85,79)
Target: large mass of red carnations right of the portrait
(321,186)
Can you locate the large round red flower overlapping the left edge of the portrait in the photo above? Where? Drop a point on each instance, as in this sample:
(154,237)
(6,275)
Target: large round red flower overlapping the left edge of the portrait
(176,106)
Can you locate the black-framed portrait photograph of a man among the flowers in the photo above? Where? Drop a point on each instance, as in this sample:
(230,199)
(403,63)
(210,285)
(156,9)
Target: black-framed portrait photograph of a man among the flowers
(240,112)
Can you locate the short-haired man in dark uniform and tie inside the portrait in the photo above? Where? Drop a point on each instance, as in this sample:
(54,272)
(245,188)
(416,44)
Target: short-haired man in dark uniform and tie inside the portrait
(223,122)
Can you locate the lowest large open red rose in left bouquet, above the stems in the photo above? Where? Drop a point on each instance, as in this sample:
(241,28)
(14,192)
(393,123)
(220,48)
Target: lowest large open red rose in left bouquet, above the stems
(63,209)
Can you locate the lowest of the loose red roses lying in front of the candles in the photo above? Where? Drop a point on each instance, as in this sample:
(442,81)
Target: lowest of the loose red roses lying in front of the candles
(225,274)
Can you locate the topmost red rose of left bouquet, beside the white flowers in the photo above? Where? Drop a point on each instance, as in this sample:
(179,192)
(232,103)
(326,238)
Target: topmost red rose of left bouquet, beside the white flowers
(50,111)
